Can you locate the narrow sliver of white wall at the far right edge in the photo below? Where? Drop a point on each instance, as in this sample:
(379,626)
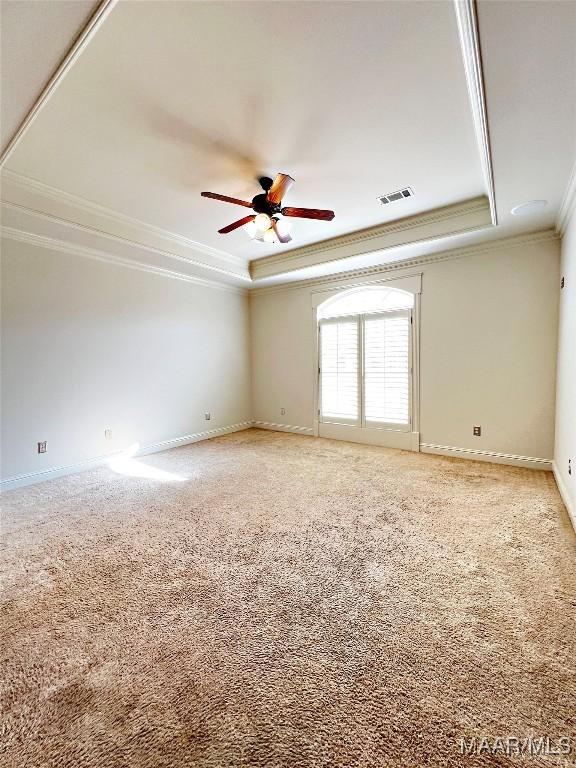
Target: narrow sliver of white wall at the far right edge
(565,447)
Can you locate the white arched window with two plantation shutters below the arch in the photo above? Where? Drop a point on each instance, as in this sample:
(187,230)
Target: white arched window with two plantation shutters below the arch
(365,360)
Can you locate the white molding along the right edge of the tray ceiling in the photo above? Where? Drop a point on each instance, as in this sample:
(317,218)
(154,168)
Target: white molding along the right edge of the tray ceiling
(467,18)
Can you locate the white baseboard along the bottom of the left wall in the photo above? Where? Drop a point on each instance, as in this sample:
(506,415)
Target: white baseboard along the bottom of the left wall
(19,481)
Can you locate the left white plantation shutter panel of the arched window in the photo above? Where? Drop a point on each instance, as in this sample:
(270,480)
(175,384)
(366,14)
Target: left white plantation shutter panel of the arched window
(339,368)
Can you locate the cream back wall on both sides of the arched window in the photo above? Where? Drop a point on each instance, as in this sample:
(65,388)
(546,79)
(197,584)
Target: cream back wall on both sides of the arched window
(487,352)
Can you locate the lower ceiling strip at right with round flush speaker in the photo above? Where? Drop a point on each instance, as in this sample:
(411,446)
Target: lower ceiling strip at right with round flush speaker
(529,61)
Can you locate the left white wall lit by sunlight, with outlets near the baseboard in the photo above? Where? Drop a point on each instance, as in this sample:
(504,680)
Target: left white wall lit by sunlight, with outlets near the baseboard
(88,346)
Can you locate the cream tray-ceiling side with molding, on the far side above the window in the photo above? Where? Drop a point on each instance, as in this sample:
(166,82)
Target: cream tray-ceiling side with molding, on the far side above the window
(439,223)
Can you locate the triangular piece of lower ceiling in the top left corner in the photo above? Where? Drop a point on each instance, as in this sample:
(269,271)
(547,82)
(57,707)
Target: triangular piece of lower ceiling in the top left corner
(35,36)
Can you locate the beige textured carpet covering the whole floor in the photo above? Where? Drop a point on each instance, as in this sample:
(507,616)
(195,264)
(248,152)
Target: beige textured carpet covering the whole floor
(291,602)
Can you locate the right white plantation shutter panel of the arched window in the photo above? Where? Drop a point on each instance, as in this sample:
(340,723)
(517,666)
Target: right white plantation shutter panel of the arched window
(387,369)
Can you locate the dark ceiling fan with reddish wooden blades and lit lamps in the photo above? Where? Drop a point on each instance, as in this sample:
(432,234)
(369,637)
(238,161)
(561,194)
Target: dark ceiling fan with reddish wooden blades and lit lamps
(265,224)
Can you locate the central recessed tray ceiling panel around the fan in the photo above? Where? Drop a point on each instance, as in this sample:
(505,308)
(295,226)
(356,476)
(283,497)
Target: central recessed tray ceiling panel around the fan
(353,99)
